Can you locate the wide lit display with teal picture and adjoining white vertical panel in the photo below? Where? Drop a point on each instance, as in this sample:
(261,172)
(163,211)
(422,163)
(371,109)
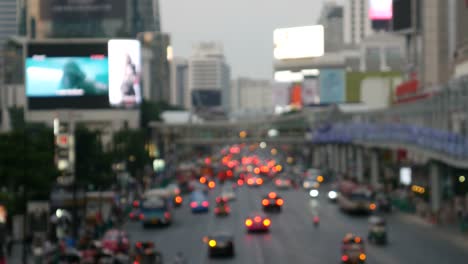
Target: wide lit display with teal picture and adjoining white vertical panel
(79,76)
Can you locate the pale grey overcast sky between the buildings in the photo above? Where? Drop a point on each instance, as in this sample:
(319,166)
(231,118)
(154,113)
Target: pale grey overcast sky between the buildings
(245,27)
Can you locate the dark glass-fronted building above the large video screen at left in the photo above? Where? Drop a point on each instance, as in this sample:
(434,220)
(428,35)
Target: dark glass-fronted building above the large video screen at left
(90,19)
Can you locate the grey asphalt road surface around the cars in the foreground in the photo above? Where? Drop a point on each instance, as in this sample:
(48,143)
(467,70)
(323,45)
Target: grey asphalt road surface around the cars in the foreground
(293,238)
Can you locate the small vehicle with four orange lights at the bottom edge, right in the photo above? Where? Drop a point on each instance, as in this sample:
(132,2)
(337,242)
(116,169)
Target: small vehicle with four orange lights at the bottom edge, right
(352,250)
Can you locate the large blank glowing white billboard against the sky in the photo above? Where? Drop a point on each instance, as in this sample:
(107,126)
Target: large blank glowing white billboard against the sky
(298,42)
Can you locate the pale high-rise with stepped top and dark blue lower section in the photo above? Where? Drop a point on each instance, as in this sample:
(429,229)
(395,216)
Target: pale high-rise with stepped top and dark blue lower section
(209,77)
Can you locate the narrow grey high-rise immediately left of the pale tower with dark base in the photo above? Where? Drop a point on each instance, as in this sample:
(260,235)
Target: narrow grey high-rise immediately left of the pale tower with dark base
(179,82)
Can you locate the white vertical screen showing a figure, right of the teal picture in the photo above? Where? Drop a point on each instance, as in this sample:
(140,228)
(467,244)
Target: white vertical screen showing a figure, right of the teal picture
(124,72)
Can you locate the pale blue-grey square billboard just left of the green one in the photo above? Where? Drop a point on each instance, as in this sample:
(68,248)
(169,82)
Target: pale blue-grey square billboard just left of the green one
(332,85)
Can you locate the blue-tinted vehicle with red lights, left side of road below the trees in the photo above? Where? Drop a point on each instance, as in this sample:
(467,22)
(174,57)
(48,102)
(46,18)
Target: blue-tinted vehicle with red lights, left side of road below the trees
(155,211)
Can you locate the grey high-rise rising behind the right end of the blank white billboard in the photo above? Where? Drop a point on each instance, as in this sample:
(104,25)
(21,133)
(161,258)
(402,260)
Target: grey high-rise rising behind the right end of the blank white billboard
(331,18)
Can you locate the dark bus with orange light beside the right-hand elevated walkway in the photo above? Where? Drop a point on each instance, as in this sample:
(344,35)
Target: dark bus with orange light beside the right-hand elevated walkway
(355,198)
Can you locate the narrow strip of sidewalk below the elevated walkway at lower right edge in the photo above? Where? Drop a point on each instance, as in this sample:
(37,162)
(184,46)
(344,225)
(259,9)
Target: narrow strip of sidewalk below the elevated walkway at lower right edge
(449,233)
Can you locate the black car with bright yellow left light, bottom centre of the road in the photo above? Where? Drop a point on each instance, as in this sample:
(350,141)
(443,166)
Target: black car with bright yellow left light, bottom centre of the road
(220,245)
